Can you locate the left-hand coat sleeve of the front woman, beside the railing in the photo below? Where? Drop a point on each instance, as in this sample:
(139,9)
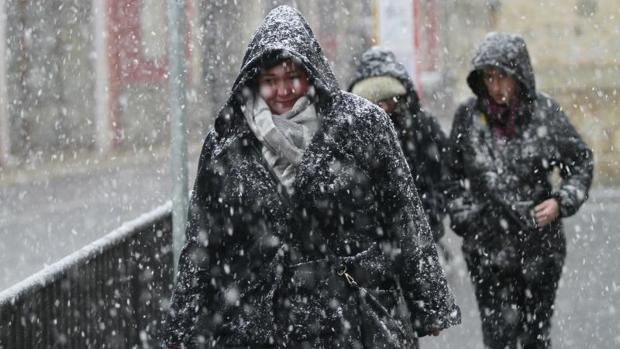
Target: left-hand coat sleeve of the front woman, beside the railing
(192,286)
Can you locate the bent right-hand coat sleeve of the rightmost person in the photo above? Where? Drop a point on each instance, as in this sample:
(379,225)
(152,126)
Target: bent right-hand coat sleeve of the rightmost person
(575,162)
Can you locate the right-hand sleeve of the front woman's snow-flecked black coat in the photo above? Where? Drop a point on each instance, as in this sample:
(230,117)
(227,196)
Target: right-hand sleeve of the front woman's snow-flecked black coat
(408,237)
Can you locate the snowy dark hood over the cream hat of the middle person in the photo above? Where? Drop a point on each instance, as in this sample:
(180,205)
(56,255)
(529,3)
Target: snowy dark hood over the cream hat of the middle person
(380,62)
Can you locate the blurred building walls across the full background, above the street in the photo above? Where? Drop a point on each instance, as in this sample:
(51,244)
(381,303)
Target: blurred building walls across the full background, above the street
(88,78)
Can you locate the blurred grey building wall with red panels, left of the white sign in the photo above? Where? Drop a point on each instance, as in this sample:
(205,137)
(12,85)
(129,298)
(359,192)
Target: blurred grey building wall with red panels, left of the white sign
(89,78)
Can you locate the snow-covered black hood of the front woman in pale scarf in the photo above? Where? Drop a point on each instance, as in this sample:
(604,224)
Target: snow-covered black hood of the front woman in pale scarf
(283,33)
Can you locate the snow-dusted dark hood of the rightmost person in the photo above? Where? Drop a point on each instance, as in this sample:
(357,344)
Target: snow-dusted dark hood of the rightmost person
(507,52)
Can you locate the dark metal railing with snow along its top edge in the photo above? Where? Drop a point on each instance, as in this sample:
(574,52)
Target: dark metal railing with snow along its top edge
(109,294)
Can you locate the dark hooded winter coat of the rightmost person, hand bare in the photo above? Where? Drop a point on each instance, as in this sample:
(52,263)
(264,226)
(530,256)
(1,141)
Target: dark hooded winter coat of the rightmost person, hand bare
(502,179)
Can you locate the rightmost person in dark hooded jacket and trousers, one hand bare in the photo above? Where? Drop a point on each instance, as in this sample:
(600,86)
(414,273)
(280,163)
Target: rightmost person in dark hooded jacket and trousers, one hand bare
(505,144)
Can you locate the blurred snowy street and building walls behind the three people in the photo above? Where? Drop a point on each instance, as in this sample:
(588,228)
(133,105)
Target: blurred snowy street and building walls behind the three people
(85,125)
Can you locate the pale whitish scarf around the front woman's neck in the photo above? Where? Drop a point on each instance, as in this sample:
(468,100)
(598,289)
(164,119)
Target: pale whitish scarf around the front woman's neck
(284,137)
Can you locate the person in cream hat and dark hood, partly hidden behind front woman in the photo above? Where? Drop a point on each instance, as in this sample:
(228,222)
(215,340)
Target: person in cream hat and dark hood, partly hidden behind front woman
(383,80)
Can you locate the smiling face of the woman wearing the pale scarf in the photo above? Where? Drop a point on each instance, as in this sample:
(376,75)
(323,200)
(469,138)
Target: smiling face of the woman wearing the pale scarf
(282,85)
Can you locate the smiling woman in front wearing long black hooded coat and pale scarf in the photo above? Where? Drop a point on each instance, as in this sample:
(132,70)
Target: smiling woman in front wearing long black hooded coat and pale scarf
(303,216)
